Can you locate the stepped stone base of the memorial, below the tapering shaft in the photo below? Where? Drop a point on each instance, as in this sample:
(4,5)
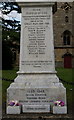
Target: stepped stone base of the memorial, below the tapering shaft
(36,93)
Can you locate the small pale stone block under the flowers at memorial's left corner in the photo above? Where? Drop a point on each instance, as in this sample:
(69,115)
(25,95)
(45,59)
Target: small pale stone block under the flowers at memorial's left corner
(13,110)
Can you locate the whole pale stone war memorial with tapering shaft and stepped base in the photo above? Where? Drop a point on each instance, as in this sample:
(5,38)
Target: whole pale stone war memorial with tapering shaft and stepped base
(36,87)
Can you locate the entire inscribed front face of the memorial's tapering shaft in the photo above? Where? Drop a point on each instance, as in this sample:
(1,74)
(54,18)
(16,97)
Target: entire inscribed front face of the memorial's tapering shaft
(37,38)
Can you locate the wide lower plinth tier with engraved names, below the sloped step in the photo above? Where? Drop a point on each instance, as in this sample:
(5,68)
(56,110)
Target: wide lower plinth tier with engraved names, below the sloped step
(33,95)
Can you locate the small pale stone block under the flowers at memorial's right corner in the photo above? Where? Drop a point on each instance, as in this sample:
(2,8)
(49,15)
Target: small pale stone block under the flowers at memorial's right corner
(59,110)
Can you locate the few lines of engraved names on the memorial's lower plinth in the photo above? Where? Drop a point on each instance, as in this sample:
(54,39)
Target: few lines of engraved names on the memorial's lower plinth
(35,96)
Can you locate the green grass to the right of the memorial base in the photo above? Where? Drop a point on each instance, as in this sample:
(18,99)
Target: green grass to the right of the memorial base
(67,75)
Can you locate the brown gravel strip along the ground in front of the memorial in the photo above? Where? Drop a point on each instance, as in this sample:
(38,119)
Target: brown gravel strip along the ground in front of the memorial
(36,116)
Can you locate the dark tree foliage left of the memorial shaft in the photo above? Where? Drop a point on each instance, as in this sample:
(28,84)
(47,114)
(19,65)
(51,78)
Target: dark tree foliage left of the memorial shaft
(10,34)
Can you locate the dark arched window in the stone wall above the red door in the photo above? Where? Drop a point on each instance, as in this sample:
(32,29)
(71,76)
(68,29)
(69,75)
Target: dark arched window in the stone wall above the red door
(66,37)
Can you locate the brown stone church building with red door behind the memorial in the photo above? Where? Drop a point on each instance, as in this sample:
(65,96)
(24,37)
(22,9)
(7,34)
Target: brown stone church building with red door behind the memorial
(63,34)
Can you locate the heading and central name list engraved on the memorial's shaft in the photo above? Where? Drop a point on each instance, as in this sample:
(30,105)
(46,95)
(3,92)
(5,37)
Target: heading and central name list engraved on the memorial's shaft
(36,23)
